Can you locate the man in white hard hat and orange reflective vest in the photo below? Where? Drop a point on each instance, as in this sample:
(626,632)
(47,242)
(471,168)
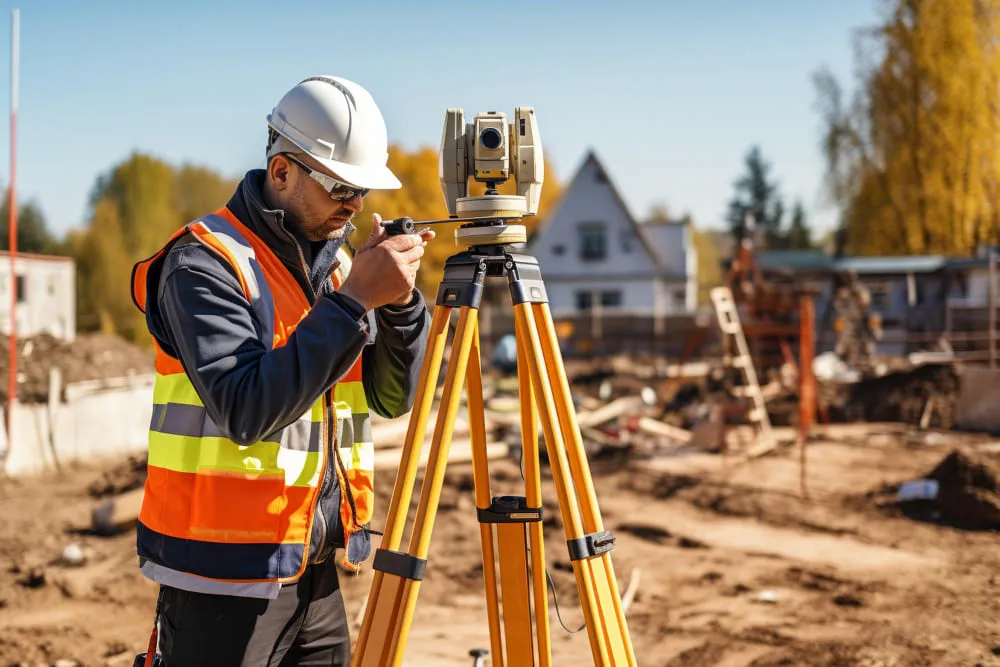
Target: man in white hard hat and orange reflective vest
(272,346)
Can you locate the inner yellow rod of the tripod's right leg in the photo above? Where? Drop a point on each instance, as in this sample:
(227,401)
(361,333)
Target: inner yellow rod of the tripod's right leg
(560,475)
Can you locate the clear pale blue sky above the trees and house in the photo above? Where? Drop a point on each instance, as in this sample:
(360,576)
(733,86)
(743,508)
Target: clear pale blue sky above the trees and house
(669,94)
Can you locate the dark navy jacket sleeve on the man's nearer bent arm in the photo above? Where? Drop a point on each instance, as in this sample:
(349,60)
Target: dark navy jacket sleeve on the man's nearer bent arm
(203,319)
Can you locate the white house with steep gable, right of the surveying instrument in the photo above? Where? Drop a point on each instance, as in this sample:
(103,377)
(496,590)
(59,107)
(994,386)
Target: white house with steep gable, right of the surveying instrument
(593,251)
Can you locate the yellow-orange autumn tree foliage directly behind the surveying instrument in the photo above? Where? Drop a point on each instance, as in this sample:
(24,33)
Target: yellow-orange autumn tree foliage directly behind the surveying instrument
(421,198)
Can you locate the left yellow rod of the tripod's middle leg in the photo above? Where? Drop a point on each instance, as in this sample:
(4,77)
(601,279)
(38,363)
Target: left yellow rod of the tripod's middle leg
(480,472)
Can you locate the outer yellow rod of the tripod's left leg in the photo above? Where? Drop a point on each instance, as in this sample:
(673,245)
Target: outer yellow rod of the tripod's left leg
(400,502)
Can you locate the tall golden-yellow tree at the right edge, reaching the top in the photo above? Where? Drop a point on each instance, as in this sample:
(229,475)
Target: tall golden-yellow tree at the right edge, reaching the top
(913,160)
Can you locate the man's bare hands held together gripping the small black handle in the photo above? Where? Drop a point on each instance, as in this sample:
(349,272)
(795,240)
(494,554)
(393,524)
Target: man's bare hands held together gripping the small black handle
(385,267)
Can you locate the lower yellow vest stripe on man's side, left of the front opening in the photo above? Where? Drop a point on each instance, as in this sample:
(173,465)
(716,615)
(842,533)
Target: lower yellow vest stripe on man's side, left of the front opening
(182,453)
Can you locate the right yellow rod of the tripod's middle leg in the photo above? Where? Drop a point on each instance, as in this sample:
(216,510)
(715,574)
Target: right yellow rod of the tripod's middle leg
(533,495)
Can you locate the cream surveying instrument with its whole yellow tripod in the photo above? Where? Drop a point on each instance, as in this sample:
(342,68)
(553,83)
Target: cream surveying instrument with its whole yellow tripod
(491,152)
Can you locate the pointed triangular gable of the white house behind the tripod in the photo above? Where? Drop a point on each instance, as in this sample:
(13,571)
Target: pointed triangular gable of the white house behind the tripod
(592,233)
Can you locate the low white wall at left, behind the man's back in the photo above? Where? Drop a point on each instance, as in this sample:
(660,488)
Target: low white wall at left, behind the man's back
(96,421)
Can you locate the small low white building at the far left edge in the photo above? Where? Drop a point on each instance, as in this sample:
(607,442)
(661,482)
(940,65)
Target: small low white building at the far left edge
(46,295)
